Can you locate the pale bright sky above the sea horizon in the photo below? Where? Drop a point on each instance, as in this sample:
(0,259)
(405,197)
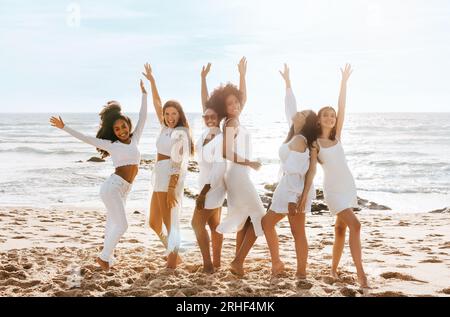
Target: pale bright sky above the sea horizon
(73,56)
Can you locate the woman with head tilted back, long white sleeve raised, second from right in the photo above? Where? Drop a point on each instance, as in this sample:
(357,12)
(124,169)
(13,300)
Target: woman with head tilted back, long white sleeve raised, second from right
(295,159)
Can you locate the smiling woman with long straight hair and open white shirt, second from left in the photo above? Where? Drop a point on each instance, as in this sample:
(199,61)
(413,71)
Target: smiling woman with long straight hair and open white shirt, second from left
(174,146)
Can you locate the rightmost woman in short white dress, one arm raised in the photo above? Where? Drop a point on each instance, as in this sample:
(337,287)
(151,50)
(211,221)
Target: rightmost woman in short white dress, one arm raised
(338,184)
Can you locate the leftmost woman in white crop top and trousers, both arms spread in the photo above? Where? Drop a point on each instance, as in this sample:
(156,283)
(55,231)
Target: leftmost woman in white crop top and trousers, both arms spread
(114,139)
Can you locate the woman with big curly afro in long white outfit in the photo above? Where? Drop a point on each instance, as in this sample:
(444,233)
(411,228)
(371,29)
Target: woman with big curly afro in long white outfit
(245,208)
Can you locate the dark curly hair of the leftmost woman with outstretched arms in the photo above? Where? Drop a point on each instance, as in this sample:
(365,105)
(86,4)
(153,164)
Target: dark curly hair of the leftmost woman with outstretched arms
(108,116)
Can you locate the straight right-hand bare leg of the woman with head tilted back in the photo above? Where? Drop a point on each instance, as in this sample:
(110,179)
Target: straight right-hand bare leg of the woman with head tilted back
(297,223)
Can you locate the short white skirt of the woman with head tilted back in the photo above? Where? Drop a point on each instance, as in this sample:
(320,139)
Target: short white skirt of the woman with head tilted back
(289,190)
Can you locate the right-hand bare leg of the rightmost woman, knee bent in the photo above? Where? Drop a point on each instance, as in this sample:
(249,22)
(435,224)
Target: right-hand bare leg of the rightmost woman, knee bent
(354,227)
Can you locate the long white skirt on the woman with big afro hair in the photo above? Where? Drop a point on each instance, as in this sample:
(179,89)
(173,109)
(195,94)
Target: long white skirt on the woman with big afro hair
(243,201)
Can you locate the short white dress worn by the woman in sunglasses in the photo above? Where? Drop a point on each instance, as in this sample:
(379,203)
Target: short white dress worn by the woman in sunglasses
(212,168)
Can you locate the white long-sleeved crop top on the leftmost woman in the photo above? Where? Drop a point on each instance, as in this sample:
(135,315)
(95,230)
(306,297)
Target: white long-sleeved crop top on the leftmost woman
(122,154)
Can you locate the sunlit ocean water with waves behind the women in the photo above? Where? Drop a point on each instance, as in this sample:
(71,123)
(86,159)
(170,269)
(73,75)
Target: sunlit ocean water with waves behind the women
(401,160)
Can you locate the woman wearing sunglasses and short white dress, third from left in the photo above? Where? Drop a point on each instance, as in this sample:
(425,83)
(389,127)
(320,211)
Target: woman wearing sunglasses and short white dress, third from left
(211,183)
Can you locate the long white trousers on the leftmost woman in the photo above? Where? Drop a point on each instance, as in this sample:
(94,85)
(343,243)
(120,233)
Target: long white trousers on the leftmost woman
(114,192)
